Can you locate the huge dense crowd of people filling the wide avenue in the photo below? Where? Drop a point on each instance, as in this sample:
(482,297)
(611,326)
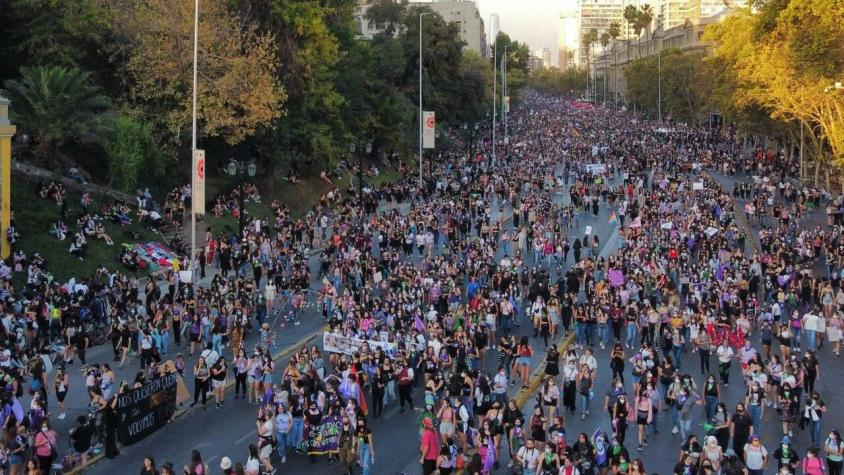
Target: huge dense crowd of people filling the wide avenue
(457,289)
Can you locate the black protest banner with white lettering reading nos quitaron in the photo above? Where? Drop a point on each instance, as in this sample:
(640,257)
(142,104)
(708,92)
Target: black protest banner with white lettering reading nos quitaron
(144,410)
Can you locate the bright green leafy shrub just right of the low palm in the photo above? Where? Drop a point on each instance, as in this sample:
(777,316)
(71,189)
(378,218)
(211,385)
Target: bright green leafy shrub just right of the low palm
(133,153)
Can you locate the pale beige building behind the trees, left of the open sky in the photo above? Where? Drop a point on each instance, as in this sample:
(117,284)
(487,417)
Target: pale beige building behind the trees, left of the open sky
(463,12)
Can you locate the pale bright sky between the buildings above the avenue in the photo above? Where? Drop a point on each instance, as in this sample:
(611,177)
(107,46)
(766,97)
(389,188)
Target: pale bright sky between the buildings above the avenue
(534,22)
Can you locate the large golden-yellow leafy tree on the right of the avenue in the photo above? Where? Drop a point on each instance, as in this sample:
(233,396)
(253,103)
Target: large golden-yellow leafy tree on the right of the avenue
(783,60)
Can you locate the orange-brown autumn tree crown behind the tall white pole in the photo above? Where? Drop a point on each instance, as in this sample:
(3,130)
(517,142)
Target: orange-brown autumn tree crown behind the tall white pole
(238,90)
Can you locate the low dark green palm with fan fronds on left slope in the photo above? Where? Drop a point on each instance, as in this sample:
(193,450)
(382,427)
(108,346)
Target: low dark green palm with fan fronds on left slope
(55,103)
